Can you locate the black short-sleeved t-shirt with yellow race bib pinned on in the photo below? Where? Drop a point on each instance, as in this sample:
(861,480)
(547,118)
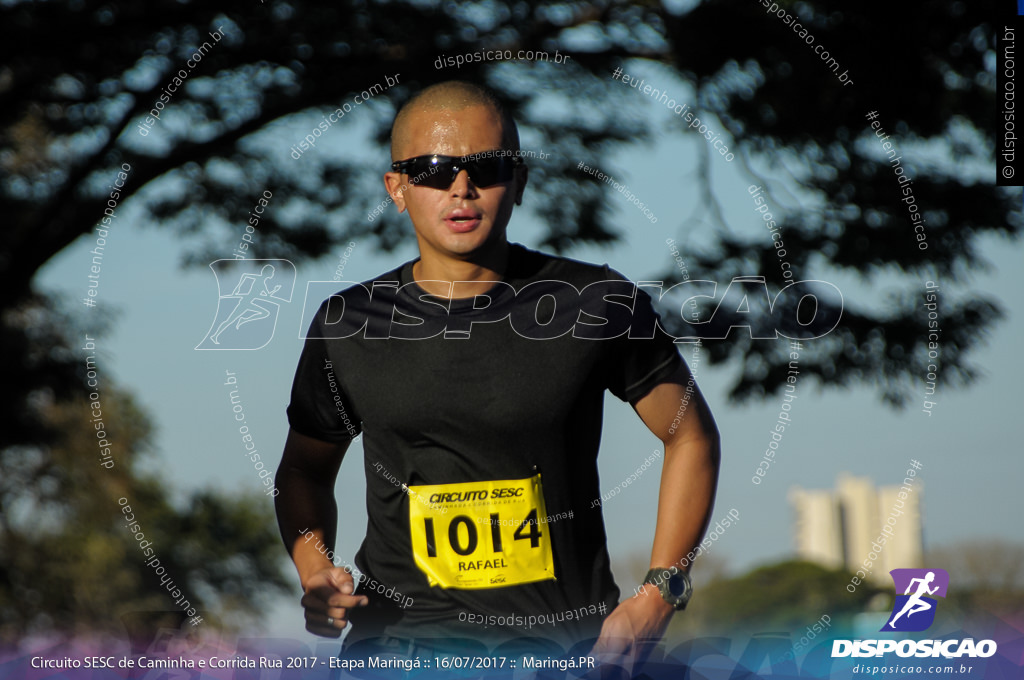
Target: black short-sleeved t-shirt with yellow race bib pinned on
(497,405)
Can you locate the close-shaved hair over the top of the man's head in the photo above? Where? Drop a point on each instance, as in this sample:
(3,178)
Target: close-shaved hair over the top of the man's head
(452,97)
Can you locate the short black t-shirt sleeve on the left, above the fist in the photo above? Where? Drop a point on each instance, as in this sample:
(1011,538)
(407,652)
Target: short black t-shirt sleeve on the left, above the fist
(319,407)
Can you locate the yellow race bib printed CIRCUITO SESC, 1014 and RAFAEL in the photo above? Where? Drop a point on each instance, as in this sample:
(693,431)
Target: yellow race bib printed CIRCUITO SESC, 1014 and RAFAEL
(482,534)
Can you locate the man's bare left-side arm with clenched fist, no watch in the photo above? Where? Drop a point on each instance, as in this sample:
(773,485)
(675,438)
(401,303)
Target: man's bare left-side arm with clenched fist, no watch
(306,478)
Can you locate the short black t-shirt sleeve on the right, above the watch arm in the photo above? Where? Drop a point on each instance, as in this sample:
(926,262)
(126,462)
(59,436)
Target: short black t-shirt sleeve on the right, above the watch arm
(637,365)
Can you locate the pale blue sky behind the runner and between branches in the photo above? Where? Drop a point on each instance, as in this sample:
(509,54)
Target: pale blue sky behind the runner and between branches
(969,447)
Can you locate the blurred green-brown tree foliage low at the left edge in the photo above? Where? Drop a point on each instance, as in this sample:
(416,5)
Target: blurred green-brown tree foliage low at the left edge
(69,564)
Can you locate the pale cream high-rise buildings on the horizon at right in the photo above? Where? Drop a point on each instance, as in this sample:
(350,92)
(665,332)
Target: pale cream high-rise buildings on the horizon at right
(838,528)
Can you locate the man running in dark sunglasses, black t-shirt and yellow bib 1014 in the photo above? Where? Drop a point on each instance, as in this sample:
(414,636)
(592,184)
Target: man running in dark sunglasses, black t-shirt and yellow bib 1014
(461,372)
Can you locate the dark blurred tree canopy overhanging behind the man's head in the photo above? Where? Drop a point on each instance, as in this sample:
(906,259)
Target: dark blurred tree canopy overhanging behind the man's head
(82,75)
